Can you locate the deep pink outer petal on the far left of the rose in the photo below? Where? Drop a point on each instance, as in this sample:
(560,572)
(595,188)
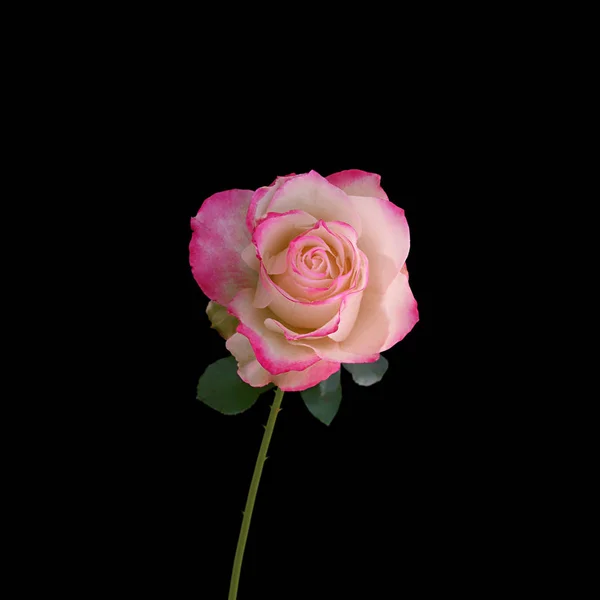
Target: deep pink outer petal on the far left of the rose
(218,239)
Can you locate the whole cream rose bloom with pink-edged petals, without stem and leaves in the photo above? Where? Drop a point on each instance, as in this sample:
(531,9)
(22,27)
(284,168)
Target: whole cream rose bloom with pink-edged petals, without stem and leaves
(314,270)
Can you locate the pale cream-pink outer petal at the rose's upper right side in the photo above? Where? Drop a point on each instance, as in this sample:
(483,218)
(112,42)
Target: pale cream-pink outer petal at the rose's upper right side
(385,238)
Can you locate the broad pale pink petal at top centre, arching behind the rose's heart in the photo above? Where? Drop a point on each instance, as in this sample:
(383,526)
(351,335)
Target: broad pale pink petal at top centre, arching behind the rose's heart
(316,196)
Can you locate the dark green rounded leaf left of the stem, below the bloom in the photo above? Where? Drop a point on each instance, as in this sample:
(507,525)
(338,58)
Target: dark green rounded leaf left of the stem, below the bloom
(222,389)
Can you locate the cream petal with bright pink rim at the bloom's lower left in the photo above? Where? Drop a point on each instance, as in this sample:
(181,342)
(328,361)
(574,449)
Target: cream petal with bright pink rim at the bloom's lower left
(272,350)
